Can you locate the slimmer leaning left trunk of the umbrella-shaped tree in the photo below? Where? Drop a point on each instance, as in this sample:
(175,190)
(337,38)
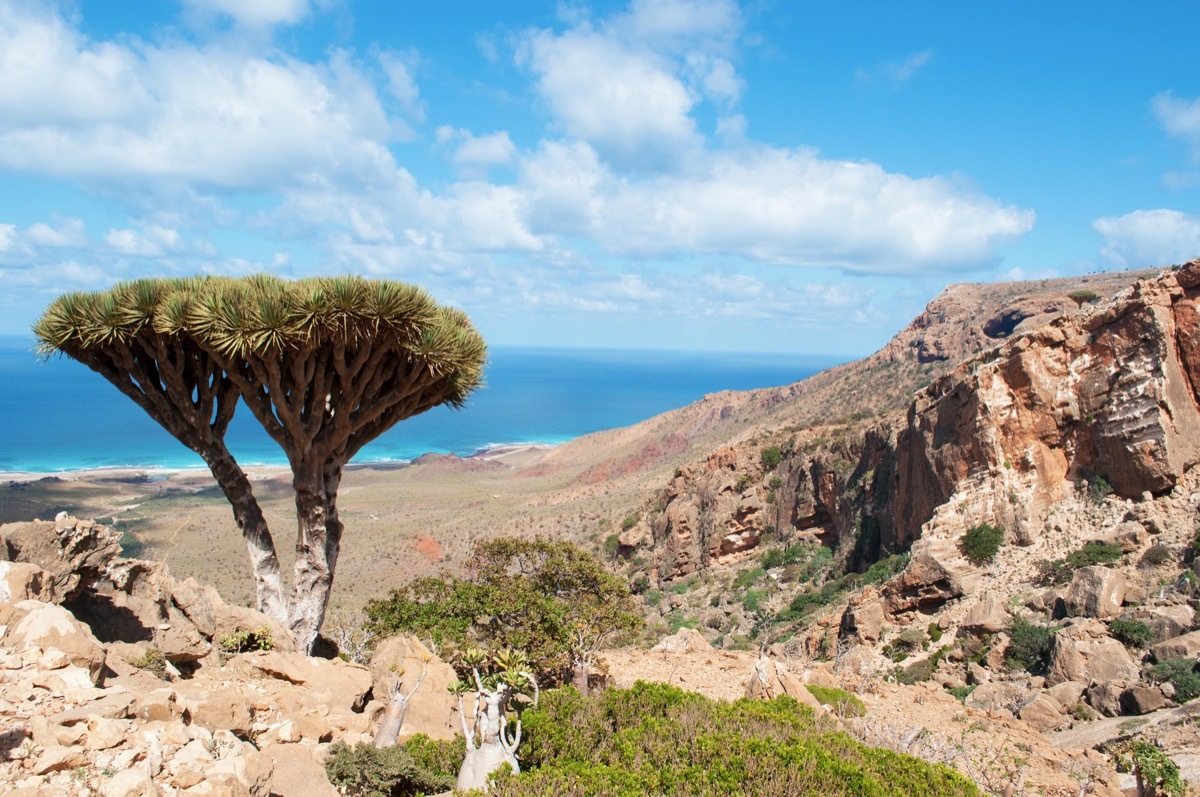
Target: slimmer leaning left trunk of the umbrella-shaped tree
(249,517)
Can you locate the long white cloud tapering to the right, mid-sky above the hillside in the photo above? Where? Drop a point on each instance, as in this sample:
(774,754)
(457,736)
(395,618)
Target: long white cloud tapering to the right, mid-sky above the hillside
(787,207)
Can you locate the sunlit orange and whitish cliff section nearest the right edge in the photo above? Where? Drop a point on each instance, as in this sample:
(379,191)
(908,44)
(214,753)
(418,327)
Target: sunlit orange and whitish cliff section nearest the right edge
(1107,394)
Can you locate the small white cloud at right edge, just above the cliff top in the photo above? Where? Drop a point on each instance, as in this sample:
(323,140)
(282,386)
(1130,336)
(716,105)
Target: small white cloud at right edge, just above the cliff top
(1149,238)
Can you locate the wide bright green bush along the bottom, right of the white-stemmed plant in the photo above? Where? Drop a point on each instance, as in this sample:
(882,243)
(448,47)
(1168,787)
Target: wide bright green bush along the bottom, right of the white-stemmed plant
(657,740)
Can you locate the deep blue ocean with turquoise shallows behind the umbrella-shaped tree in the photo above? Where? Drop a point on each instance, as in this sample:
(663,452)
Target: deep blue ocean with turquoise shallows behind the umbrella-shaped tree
(59,416)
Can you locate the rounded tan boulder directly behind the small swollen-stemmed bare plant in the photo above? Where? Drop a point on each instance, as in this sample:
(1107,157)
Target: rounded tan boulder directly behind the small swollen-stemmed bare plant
(431,710)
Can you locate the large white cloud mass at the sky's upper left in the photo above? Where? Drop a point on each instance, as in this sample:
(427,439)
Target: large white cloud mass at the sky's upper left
(128,112)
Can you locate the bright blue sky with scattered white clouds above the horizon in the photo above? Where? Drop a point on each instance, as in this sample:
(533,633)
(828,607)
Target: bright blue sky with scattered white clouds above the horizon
(698,175)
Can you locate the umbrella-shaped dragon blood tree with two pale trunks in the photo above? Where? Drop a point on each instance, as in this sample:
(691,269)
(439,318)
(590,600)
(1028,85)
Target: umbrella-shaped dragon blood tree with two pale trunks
(325,364)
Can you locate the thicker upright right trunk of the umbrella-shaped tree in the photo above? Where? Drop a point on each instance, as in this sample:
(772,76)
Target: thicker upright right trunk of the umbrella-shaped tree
(314,574)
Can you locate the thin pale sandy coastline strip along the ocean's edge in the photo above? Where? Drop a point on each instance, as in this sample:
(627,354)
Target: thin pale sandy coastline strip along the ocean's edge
(507,453)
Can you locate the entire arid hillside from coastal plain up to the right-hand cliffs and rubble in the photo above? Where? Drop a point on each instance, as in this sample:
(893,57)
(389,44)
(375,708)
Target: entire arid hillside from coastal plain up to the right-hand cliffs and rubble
(827,524)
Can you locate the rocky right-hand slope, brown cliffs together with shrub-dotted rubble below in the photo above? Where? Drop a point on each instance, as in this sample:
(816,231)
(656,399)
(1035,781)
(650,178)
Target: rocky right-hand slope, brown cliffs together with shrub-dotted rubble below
(1078,440)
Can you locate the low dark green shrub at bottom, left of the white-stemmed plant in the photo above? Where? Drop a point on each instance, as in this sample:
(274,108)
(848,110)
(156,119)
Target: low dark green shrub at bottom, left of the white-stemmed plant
(365,771)
